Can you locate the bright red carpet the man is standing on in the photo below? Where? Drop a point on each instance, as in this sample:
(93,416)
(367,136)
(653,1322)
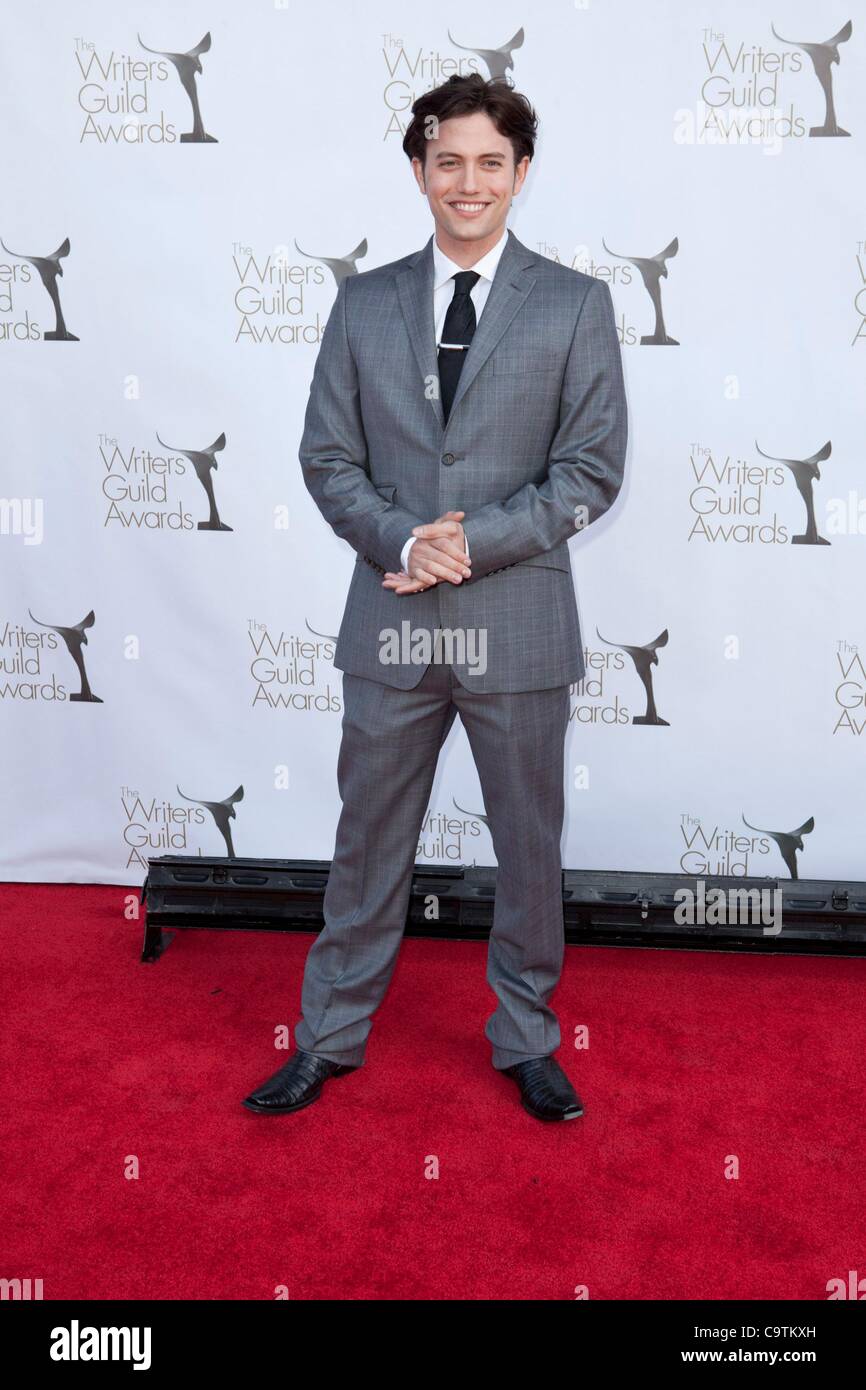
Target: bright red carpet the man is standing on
(692,1058)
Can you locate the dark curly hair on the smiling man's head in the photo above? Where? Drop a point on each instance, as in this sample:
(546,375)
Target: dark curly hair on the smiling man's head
(507,108)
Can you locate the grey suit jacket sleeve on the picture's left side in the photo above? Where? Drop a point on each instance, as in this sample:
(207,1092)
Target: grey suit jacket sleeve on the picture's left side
(334,452)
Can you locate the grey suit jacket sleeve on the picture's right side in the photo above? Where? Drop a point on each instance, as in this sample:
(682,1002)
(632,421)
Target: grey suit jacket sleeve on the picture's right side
(587,457)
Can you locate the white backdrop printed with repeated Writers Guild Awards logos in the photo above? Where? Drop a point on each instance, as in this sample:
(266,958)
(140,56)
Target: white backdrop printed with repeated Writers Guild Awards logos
(181,187)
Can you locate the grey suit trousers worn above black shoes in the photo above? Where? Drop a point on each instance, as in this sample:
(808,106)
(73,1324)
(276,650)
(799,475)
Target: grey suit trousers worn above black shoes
(391,742)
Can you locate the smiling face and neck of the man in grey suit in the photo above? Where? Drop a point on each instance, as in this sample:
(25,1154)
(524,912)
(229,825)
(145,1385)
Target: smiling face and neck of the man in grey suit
(469,180)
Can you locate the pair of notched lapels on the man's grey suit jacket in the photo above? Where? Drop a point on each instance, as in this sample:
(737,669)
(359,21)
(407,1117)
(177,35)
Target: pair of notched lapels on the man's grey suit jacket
(512,286)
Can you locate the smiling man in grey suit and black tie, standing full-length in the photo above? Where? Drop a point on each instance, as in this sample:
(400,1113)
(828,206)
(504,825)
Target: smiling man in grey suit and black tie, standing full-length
(477,384)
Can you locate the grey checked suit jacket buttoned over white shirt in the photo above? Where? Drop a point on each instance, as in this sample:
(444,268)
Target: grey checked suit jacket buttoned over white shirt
(534,451)
